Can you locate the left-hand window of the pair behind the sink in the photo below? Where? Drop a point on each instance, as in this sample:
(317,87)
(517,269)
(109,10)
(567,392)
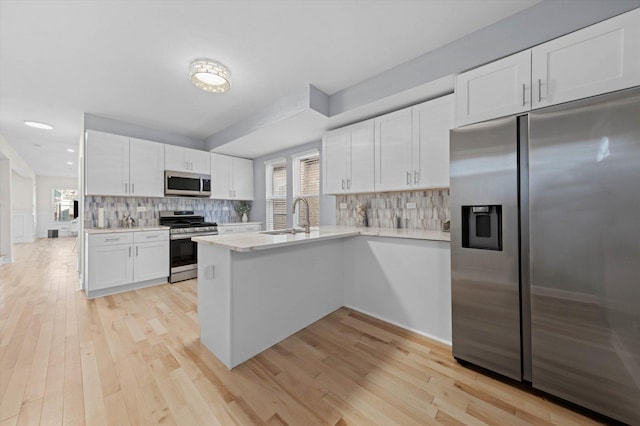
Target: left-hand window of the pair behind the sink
(276,194)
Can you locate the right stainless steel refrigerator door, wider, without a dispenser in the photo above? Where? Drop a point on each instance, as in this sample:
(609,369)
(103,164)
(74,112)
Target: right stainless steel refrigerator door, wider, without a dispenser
(584,164)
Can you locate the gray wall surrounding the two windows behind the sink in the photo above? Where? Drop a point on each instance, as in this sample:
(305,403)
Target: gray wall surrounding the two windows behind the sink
(258,210)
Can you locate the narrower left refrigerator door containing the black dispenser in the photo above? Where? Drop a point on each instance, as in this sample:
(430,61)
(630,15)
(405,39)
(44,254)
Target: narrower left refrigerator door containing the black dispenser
(484,271)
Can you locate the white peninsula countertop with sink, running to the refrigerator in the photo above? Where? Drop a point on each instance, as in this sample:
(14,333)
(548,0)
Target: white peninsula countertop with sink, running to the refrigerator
(257,241)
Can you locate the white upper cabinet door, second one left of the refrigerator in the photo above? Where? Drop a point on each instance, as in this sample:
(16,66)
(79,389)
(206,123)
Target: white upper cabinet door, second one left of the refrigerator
(393,146)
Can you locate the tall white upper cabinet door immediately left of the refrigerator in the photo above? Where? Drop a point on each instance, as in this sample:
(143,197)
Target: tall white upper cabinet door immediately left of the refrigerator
(431,124)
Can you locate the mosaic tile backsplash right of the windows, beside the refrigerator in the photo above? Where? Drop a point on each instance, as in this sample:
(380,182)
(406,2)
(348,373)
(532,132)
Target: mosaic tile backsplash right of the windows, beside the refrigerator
(430,212)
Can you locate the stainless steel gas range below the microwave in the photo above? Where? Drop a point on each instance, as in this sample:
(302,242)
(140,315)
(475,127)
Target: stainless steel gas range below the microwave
(185,224)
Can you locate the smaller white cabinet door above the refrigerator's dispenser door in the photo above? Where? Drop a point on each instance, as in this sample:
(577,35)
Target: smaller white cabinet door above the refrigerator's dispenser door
(494,90)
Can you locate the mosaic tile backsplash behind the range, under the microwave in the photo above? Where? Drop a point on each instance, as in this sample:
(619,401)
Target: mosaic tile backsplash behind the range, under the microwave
(220,211)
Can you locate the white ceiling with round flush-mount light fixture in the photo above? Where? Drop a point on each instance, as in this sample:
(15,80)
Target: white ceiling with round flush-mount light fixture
(128,60)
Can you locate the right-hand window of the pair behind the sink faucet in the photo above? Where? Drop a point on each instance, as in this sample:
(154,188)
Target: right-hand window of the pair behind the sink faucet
(306,183)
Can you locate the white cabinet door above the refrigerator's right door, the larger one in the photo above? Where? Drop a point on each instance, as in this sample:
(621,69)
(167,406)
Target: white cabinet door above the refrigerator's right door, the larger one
(598,59)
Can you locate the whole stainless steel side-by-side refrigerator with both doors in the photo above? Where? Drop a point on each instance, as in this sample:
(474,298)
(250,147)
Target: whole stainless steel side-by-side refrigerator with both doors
(545,250)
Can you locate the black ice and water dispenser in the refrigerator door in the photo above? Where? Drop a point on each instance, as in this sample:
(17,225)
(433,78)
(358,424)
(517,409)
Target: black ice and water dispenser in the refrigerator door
(482,227)
